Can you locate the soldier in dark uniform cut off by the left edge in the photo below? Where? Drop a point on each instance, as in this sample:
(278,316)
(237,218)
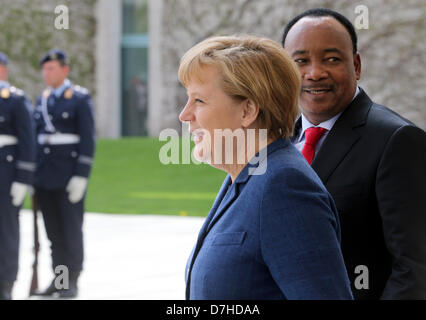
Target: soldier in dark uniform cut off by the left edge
(17,167)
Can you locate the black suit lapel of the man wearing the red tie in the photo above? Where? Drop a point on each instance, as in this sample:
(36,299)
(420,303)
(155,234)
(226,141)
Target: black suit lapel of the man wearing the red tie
(343,136)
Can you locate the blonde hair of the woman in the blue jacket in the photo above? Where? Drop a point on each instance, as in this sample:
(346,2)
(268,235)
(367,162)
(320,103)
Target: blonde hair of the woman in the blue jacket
(252,68)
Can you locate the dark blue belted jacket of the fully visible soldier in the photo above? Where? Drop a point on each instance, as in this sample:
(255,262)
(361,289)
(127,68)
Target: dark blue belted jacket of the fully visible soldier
(65,136)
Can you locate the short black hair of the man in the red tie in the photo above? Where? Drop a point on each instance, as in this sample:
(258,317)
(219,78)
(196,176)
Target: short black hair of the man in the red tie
(323,12)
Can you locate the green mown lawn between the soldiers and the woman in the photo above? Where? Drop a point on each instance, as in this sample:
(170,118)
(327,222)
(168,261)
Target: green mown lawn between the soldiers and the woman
(128,177)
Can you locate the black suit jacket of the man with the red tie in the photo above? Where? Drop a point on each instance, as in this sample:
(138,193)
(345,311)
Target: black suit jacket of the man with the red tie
(373,162)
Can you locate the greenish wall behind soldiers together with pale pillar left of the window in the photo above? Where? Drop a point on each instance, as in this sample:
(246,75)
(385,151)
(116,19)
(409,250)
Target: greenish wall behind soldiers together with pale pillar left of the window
(92,43)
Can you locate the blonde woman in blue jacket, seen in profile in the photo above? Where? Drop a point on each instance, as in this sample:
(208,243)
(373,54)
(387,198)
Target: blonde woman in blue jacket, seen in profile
(273,231)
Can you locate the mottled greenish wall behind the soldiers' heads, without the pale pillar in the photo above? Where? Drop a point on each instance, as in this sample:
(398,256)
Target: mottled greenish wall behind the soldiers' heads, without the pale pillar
(28,31)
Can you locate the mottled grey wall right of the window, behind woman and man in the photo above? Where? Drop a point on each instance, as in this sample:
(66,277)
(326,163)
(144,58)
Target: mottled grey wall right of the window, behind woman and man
(393,48)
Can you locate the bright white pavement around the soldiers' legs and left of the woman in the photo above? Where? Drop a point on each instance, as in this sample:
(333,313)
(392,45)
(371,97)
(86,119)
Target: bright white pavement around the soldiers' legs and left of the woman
(126,256)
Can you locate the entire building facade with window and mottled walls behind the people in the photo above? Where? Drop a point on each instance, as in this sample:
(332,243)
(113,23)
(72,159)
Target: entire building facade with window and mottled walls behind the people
(127,52)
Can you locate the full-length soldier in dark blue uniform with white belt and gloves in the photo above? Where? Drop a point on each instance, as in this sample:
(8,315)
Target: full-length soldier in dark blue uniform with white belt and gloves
(65,150)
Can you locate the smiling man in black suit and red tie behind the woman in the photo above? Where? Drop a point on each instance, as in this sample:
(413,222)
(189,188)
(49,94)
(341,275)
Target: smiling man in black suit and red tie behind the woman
(372,161)
